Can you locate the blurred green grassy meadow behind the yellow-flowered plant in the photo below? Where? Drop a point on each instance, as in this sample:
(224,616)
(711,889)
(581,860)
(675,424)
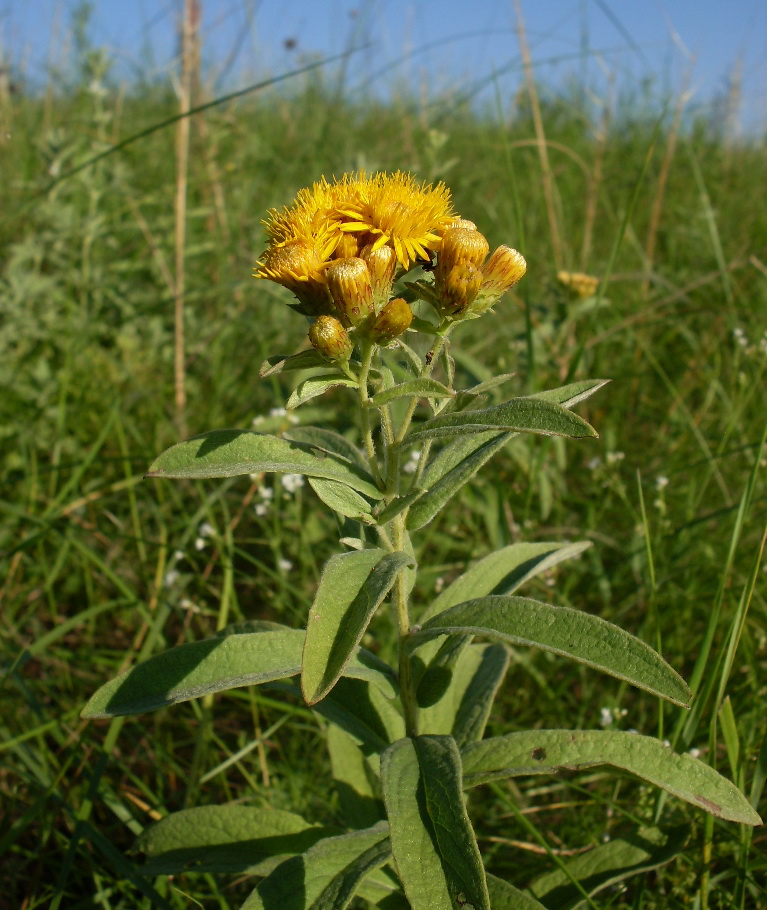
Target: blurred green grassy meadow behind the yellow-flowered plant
(115,215)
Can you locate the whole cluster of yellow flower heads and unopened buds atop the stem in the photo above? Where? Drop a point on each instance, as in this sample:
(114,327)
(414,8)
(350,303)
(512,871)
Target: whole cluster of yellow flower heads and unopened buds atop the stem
(339,247)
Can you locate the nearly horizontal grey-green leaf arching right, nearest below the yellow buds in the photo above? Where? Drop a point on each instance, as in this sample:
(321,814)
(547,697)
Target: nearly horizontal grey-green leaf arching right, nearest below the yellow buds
(522,415)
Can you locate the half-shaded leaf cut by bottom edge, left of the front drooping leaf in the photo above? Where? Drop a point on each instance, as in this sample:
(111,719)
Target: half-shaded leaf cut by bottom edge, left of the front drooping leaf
(326,876)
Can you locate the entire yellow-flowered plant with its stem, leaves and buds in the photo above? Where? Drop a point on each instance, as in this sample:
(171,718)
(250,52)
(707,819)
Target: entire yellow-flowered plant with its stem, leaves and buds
(405,731)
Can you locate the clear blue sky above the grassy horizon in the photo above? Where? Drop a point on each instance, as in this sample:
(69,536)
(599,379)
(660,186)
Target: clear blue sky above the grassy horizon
(429,45)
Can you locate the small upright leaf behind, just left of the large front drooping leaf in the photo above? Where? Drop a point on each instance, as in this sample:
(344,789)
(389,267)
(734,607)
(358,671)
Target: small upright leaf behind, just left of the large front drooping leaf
(353,779)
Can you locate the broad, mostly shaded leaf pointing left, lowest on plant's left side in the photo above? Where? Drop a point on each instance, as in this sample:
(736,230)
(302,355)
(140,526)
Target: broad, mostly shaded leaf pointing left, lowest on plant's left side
(234,839)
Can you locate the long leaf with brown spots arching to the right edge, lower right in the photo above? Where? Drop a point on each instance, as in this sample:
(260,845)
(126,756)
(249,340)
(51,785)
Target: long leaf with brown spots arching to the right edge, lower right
(546,751)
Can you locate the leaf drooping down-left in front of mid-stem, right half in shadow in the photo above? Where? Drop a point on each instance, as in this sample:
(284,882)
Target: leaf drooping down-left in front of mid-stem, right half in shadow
(351,588)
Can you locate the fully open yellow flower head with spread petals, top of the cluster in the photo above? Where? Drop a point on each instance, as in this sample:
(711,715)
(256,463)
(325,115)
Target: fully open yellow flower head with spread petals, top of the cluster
(399,212)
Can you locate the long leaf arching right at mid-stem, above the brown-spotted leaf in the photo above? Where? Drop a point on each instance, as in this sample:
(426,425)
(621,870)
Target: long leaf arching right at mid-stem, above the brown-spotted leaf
(580,636)
